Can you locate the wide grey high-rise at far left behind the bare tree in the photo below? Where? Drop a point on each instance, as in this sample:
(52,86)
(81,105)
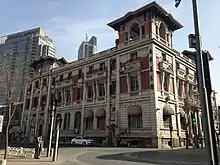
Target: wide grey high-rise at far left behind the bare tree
(19,50)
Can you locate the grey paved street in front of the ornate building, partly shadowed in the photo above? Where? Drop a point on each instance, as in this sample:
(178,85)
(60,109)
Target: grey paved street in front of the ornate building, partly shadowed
(118,156)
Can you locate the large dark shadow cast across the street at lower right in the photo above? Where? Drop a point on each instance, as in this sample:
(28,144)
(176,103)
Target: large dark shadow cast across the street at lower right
(163,157)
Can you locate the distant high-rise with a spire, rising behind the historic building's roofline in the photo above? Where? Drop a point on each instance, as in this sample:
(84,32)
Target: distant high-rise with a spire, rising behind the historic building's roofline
(87,48)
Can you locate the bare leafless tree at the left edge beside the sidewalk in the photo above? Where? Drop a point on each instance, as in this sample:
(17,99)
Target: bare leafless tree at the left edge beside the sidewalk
(9,79)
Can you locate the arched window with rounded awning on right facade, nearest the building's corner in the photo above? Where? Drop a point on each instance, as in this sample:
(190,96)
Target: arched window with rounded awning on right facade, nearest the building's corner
(167,116)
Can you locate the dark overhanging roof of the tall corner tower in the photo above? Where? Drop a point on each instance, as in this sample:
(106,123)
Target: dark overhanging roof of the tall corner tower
(151,7)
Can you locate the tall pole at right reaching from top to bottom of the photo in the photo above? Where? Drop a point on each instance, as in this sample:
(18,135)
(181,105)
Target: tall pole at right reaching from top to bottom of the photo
(202,89)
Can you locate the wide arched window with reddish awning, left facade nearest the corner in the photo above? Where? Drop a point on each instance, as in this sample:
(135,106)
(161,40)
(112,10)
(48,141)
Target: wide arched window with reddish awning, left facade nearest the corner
(135,117)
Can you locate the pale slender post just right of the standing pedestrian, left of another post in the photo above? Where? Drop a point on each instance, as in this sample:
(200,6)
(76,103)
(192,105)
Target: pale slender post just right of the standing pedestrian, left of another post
(53,111)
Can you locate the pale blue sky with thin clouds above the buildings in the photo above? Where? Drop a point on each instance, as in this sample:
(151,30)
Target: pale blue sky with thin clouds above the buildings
(67,22)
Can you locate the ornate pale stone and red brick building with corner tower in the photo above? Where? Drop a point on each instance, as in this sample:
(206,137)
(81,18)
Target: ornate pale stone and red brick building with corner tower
(134,92)
